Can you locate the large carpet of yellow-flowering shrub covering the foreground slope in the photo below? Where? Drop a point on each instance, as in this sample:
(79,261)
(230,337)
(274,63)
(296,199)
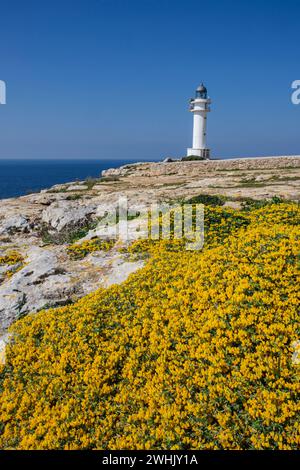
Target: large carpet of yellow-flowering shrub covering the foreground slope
(194,351)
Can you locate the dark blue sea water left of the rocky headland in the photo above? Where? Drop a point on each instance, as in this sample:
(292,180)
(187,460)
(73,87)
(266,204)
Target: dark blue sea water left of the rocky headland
(20,177)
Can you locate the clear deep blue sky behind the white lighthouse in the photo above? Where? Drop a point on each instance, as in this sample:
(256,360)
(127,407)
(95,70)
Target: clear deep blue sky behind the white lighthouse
(112,78)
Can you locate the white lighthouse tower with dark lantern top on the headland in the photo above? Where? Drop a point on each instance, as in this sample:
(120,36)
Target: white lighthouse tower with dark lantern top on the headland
(199,107)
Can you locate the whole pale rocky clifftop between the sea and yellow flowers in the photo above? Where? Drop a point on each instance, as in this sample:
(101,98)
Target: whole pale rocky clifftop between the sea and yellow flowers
(36,268)
